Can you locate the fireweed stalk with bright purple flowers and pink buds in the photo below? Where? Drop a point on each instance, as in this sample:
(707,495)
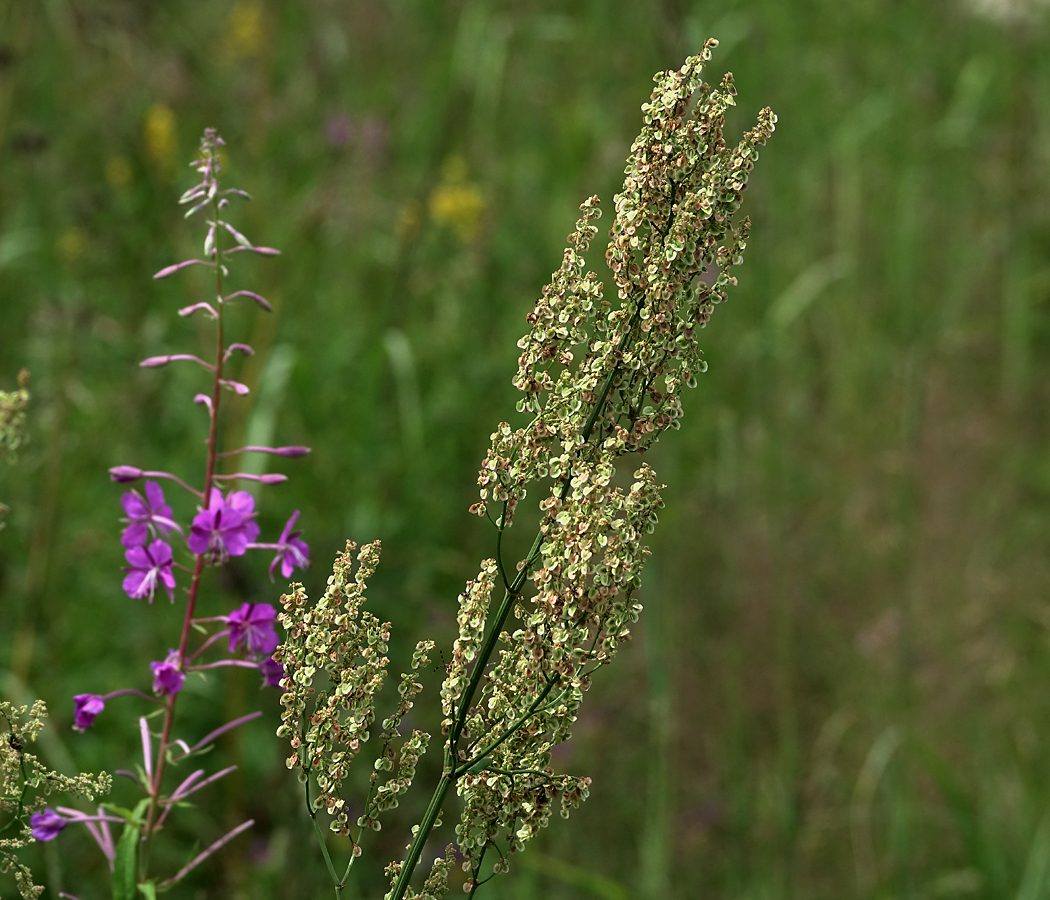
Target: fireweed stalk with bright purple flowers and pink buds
(155,543)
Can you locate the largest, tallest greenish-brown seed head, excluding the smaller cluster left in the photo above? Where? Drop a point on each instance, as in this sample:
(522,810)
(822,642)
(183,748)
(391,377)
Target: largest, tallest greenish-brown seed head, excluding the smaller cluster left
(673,228)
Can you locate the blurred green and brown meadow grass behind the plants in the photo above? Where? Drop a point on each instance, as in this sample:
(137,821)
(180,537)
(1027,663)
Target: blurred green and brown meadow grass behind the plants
(841,684)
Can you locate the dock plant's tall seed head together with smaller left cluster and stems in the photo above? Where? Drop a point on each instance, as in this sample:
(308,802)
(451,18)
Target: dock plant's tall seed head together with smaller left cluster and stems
(513,692)
